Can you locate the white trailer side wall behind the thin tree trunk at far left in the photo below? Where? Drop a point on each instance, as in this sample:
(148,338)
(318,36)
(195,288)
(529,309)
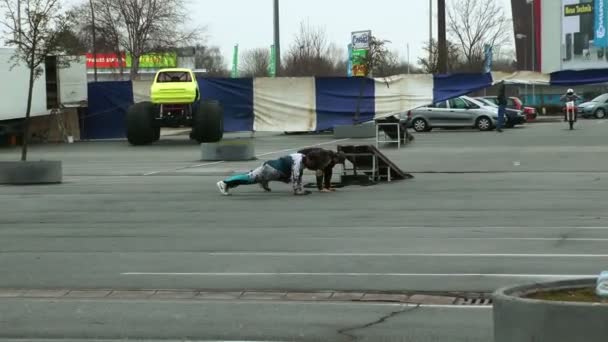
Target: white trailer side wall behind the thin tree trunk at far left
(14,89)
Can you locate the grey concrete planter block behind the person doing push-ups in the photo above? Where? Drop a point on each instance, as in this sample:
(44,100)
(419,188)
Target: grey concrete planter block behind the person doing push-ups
(229,150)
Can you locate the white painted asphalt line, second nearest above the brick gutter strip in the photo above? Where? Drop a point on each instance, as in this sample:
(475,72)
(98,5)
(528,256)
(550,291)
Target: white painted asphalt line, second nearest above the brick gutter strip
(440,255)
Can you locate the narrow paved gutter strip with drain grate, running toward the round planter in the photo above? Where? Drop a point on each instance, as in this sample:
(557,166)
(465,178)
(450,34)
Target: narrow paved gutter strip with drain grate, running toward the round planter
(189,294)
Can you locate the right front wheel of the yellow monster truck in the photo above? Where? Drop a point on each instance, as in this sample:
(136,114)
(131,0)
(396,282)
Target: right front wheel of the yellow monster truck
(208,125)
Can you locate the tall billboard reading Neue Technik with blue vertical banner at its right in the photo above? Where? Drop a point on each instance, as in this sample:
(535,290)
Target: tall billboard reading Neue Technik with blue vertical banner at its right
(584,40)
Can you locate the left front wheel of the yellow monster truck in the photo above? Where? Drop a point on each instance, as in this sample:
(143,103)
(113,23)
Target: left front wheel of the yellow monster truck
(141,126)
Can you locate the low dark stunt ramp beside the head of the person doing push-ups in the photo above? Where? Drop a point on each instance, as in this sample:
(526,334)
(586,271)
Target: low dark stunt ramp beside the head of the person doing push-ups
(367,161)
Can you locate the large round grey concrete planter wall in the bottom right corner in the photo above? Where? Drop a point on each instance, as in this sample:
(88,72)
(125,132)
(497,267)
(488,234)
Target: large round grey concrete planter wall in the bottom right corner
(522,319)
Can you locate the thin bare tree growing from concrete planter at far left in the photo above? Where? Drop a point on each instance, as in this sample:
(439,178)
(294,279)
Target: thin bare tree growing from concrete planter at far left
(35,35)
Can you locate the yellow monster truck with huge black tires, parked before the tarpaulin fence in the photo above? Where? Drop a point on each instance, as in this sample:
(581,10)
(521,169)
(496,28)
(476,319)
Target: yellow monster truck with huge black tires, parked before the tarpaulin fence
(175,102)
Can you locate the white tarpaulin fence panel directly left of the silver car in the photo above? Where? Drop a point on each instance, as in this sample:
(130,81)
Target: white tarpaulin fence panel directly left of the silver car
(398,94)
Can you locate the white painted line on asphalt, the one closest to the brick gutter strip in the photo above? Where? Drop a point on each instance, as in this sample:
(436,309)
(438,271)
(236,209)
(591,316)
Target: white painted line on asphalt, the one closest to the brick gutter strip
(330,274)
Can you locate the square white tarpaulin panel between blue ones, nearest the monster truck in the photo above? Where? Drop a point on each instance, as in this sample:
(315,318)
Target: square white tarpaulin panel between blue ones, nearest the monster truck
(284,104)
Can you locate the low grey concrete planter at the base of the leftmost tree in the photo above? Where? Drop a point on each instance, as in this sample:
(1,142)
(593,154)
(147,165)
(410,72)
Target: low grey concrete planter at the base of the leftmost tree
(30,172)
